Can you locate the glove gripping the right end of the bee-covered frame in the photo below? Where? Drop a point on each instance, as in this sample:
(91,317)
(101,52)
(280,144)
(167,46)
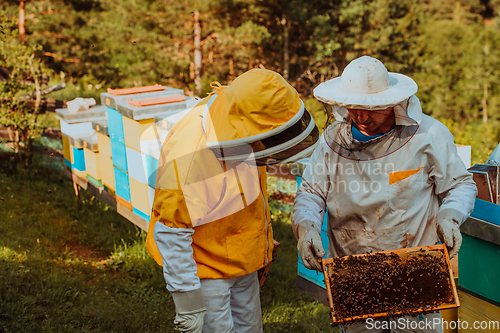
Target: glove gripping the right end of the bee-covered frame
(448,229)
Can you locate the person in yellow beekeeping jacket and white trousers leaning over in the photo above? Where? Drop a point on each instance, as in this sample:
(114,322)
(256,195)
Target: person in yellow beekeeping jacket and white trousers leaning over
(210,227)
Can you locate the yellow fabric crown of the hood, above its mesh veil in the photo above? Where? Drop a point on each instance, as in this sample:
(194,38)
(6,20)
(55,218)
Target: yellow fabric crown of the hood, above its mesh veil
(242,110)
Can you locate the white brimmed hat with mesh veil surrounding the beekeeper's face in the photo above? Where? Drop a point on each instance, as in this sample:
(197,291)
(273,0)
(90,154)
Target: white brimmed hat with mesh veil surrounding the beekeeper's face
(366,84)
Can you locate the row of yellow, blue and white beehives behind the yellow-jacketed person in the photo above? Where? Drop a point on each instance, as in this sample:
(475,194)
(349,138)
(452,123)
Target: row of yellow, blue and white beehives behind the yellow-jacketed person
(116,146)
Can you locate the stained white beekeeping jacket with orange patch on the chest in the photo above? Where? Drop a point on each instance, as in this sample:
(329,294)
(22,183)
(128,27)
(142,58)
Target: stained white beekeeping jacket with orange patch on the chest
(384,194)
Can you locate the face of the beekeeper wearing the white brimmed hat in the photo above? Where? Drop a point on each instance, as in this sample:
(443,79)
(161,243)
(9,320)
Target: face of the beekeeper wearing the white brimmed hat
(372,122)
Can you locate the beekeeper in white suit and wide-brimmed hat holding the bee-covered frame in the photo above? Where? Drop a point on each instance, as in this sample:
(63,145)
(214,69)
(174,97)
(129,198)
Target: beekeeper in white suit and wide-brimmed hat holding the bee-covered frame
(389,175)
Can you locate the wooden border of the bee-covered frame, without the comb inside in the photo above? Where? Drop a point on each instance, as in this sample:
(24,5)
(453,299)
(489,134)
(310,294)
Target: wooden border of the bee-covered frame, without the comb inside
(441,247)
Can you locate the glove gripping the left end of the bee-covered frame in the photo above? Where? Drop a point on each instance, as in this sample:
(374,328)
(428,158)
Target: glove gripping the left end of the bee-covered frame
(309,245)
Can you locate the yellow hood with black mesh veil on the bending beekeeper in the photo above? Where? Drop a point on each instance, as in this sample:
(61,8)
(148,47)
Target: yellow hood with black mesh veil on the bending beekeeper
(261,117)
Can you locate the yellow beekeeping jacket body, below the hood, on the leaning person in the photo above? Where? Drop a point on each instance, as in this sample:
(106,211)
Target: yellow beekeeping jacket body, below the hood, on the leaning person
(226,205)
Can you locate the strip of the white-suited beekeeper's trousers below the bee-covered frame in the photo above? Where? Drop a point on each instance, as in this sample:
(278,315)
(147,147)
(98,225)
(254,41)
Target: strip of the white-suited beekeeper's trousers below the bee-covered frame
(429,323)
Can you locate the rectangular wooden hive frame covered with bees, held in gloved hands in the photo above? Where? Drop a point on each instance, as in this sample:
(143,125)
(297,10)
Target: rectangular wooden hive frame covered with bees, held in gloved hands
(389,284)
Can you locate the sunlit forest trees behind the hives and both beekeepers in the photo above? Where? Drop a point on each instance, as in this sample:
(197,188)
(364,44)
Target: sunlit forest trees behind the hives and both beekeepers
(450,48)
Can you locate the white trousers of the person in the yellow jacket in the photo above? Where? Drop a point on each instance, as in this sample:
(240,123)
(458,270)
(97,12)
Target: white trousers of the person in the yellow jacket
(233,305)
